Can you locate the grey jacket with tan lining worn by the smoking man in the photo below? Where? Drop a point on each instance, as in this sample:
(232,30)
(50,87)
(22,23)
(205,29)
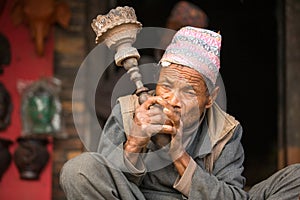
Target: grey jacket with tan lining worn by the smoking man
(216,151)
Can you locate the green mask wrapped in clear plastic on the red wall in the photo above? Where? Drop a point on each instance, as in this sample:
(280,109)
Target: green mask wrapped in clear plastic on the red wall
(41,108)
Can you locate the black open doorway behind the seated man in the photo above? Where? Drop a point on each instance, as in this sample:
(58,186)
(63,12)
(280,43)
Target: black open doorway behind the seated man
(248,68)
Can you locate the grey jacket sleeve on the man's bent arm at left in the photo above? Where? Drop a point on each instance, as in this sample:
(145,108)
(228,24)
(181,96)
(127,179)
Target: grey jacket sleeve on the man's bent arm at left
(111,147)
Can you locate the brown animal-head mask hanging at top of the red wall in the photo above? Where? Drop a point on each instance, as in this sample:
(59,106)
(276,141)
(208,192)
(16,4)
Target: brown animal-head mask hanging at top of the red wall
(40,16)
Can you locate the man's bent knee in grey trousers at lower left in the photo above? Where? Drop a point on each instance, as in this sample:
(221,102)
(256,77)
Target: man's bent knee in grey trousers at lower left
(91,176)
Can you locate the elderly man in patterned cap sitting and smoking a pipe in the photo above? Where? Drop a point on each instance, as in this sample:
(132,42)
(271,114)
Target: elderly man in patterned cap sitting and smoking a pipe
(178,144)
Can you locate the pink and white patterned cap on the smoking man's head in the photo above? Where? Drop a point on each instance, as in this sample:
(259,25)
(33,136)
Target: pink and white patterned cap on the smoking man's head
(196,48)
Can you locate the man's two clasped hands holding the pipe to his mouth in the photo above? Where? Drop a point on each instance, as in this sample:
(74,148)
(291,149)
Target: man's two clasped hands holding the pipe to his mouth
(156,118)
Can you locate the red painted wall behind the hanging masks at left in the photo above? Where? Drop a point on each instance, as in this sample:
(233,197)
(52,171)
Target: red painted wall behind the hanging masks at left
(25,65)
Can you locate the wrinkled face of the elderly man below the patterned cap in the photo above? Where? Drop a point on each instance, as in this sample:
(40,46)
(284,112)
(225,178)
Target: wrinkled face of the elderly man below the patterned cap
(185,89)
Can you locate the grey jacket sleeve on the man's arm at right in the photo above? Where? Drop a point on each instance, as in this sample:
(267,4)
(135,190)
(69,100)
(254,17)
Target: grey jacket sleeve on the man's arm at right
(226,180)
